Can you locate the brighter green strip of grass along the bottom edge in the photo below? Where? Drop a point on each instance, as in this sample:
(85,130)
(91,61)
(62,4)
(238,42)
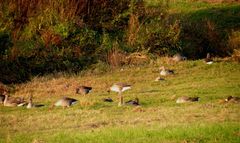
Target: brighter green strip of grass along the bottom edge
(218,133)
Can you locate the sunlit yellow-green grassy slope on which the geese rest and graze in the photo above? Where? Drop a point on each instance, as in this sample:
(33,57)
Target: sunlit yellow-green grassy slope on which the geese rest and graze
(158,119)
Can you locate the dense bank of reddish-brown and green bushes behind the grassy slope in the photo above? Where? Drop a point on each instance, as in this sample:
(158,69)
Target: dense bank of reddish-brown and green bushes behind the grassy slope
(39,37)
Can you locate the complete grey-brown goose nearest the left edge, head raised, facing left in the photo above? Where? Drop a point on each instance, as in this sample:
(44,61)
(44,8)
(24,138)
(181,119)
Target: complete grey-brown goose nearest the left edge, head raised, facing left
(12,102)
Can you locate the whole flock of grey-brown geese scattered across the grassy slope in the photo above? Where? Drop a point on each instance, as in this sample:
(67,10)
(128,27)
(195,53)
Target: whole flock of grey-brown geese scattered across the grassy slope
(117,87)
